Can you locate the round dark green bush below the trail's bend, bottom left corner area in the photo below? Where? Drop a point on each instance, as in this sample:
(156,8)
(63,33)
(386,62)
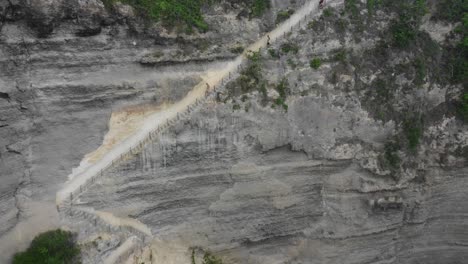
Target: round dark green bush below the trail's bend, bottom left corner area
(53,247)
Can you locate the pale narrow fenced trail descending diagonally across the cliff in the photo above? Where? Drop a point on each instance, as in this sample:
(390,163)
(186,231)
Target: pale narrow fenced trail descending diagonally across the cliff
(154,123)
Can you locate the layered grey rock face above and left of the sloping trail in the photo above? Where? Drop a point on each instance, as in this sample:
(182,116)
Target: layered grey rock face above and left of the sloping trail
(65,67)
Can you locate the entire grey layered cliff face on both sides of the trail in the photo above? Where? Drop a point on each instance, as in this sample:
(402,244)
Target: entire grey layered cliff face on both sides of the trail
(319,171)
